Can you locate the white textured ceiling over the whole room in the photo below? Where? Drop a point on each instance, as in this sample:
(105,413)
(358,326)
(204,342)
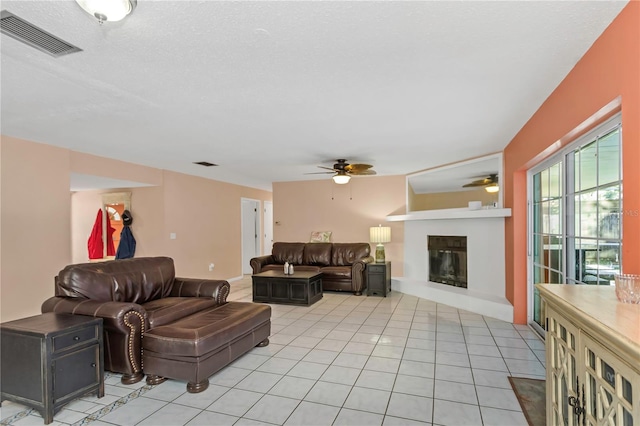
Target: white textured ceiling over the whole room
(269,90)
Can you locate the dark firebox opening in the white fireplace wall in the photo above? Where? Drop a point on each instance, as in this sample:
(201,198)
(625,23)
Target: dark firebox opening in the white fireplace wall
(448,260)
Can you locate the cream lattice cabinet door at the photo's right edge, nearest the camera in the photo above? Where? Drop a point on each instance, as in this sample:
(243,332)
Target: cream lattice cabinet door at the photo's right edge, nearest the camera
(612,389)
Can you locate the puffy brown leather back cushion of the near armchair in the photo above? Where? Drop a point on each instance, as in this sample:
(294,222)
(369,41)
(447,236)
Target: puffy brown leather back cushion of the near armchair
(137,280)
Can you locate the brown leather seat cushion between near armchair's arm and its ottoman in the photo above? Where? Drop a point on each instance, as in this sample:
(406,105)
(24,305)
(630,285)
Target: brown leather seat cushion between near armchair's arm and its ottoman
(169,309)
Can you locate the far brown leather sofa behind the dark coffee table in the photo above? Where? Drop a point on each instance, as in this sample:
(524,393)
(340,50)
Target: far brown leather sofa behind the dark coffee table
(342,264)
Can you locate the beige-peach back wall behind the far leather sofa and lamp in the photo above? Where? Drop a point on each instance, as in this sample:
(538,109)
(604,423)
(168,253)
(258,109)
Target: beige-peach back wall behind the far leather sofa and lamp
(348,211)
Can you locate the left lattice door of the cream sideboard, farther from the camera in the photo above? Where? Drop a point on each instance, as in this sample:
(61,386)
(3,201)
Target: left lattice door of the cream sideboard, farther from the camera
(562,375)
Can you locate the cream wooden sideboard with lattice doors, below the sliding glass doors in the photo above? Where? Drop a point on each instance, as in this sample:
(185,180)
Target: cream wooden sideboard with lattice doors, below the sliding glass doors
(592,356)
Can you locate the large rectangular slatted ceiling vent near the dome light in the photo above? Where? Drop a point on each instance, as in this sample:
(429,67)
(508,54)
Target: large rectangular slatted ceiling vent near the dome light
(23,31)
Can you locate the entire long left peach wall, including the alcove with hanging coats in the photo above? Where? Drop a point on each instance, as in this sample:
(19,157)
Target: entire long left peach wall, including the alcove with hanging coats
(37,208)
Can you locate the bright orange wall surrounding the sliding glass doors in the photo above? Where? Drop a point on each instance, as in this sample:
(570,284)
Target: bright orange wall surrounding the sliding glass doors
(604,81)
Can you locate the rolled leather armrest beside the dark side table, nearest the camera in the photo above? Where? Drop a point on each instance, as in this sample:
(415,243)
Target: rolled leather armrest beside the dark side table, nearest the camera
(123,323)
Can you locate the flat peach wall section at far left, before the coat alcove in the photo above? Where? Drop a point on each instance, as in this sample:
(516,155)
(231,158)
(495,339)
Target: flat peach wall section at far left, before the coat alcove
(36,233)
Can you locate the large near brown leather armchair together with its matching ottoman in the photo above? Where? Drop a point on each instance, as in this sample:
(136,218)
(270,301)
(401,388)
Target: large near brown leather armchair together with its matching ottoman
(190,331)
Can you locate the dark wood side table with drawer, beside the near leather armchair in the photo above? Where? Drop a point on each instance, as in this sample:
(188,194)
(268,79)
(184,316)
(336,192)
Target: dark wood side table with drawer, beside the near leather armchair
(50,359)
